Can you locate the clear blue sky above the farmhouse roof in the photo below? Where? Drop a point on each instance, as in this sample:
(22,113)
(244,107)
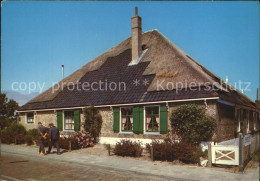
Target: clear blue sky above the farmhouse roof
(39,37)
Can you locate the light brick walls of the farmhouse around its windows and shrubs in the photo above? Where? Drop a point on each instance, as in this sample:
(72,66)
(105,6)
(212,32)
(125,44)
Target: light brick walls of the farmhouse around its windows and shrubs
(224,116)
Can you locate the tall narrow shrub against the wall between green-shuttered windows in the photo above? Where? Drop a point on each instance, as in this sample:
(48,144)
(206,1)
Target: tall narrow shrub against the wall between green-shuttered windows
(93,121)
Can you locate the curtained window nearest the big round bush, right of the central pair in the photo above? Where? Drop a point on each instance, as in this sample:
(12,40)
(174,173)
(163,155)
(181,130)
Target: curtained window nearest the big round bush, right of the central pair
(152,119)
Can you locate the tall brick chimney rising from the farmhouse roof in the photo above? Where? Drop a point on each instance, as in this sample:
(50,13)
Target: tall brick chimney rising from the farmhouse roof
(136,35)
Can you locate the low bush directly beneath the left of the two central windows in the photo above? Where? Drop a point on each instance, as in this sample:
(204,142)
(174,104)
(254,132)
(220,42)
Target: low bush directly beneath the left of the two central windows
(128,148)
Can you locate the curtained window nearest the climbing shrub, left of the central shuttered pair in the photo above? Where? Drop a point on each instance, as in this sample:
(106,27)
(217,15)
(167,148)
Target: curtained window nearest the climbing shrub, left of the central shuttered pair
(127,119)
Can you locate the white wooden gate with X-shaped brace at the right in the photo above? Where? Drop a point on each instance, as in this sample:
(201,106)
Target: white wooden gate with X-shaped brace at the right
(224,154)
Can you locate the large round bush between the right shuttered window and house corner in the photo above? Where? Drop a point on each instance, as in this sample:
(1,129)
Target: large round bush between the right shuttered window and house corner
(192,124)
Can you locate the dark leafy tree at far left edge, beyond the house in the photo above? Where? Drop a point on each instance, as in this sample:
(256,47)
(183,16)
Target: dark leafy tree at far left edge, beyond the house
(7,110)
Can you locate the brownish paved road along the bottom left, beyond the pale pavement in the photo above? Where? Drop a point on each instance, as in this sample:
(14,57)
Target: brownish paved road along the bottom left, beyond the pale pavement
(22,167)
